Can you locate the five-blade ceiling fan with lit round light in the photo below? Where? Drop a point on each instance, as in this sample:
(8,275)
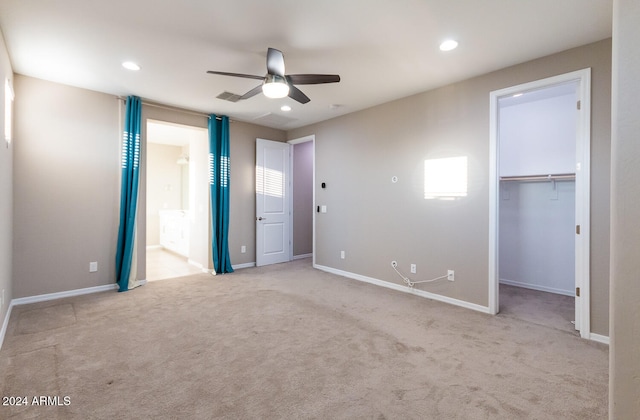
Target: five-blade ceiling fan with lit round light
(277,84)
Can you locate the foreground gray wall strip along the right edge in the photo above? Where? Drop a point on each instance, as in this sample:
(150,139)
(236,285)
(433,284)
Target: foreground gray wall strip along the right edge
(624,368)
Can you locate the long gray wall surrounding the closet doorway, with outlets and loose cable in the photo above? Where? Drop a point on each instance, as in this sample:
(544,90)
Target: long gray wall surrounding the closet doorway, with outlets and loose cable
(376,221)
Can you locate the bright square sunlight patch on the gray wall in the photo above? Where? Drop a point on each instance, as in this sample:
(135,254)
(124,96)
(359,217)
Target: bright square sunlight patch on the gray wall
(446,178)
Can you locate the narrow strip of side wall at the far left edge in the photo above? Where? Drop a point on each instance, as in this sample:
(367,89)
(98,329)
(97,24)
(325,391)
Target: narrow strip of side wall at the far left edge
(6,191)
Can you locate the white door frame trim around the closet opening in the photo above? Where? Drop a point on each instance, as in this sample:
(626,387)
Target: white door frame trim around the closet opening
(583,159)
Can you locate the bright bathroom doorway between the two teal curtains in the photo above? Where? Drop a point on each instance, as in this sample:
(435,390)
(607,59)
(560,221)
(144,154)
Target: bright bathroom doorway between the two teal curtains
(177,200)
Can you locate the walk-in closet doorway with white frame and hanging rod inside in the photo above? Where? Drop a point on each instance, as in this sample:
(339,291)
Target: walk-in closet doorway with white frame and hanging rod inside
(539,232)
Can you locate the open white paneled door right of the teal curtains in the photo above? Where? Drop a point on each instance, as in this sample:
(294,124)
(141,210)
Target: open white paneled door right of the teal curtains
(273,213)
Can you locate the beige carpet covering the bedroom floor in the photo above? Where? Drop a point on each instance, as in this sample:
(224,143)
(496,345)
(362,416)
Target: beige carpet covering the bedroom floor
(287,341)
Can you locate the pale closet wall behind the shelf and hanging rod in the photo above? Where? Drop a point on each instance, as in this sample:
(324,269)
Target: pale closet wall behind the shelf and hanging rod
(537,218)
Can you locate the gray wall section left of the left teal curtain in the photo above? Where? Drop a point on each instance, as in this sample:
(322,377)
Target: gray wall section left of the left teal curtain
(66,182)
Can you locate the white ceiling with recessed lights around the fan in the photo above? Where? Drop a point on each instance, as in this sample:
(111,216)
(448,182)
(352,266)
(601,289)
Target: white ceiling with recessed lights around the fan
(382,49)
